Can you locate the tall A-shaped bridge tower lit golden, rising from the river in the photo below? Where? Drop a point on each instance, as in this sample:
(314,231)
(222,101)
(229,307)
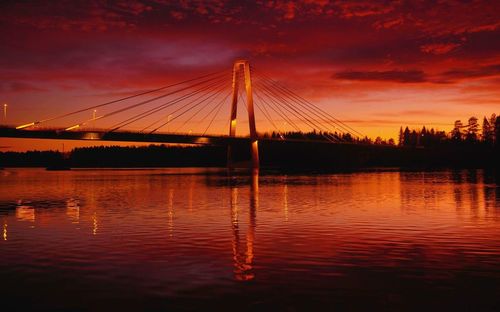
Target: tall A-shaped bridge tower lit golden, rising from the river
(241,68)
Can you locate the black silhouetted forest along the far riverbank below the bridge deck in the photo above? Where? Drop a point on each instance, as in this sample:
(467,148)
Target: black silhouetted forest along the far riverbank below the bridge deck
(469,145)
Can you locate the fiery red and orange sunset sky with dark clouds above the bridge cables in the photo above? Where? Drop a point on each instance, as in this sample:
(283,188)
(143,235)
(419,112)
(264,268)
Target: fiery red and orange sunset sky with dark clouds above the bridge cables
(376,65)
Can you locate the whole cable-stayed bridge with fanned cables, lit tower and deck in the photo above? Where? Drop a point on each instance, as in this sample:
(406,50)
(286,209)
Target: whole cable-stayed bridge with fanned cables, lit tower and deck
(290,116)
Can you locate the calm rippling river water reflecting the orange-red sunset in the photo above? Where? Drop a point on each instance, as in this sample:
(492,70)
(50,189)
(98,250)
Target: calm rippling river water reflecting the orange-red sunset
(198,239)
